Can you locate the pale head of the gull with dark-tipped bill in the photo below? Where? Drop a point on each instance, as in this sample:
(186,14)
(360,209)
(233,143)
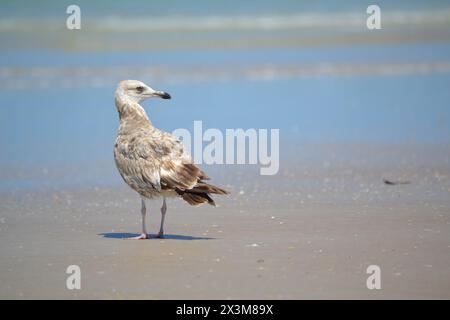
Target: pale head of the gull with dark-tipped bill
(137,91)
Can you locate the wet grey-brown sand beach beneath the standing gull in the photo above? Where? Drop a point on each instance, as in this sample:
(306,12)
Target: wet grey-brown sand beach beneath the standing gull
(308,233)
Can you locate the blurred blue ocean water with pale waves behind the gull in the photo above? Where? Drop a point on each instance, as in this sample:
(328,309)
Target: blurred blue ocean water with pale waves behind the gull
(311,69)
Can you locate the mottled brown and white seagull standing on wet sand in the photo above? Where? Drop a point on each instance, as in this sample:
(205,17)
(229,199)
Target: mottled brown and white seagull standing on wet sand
(153,162)
